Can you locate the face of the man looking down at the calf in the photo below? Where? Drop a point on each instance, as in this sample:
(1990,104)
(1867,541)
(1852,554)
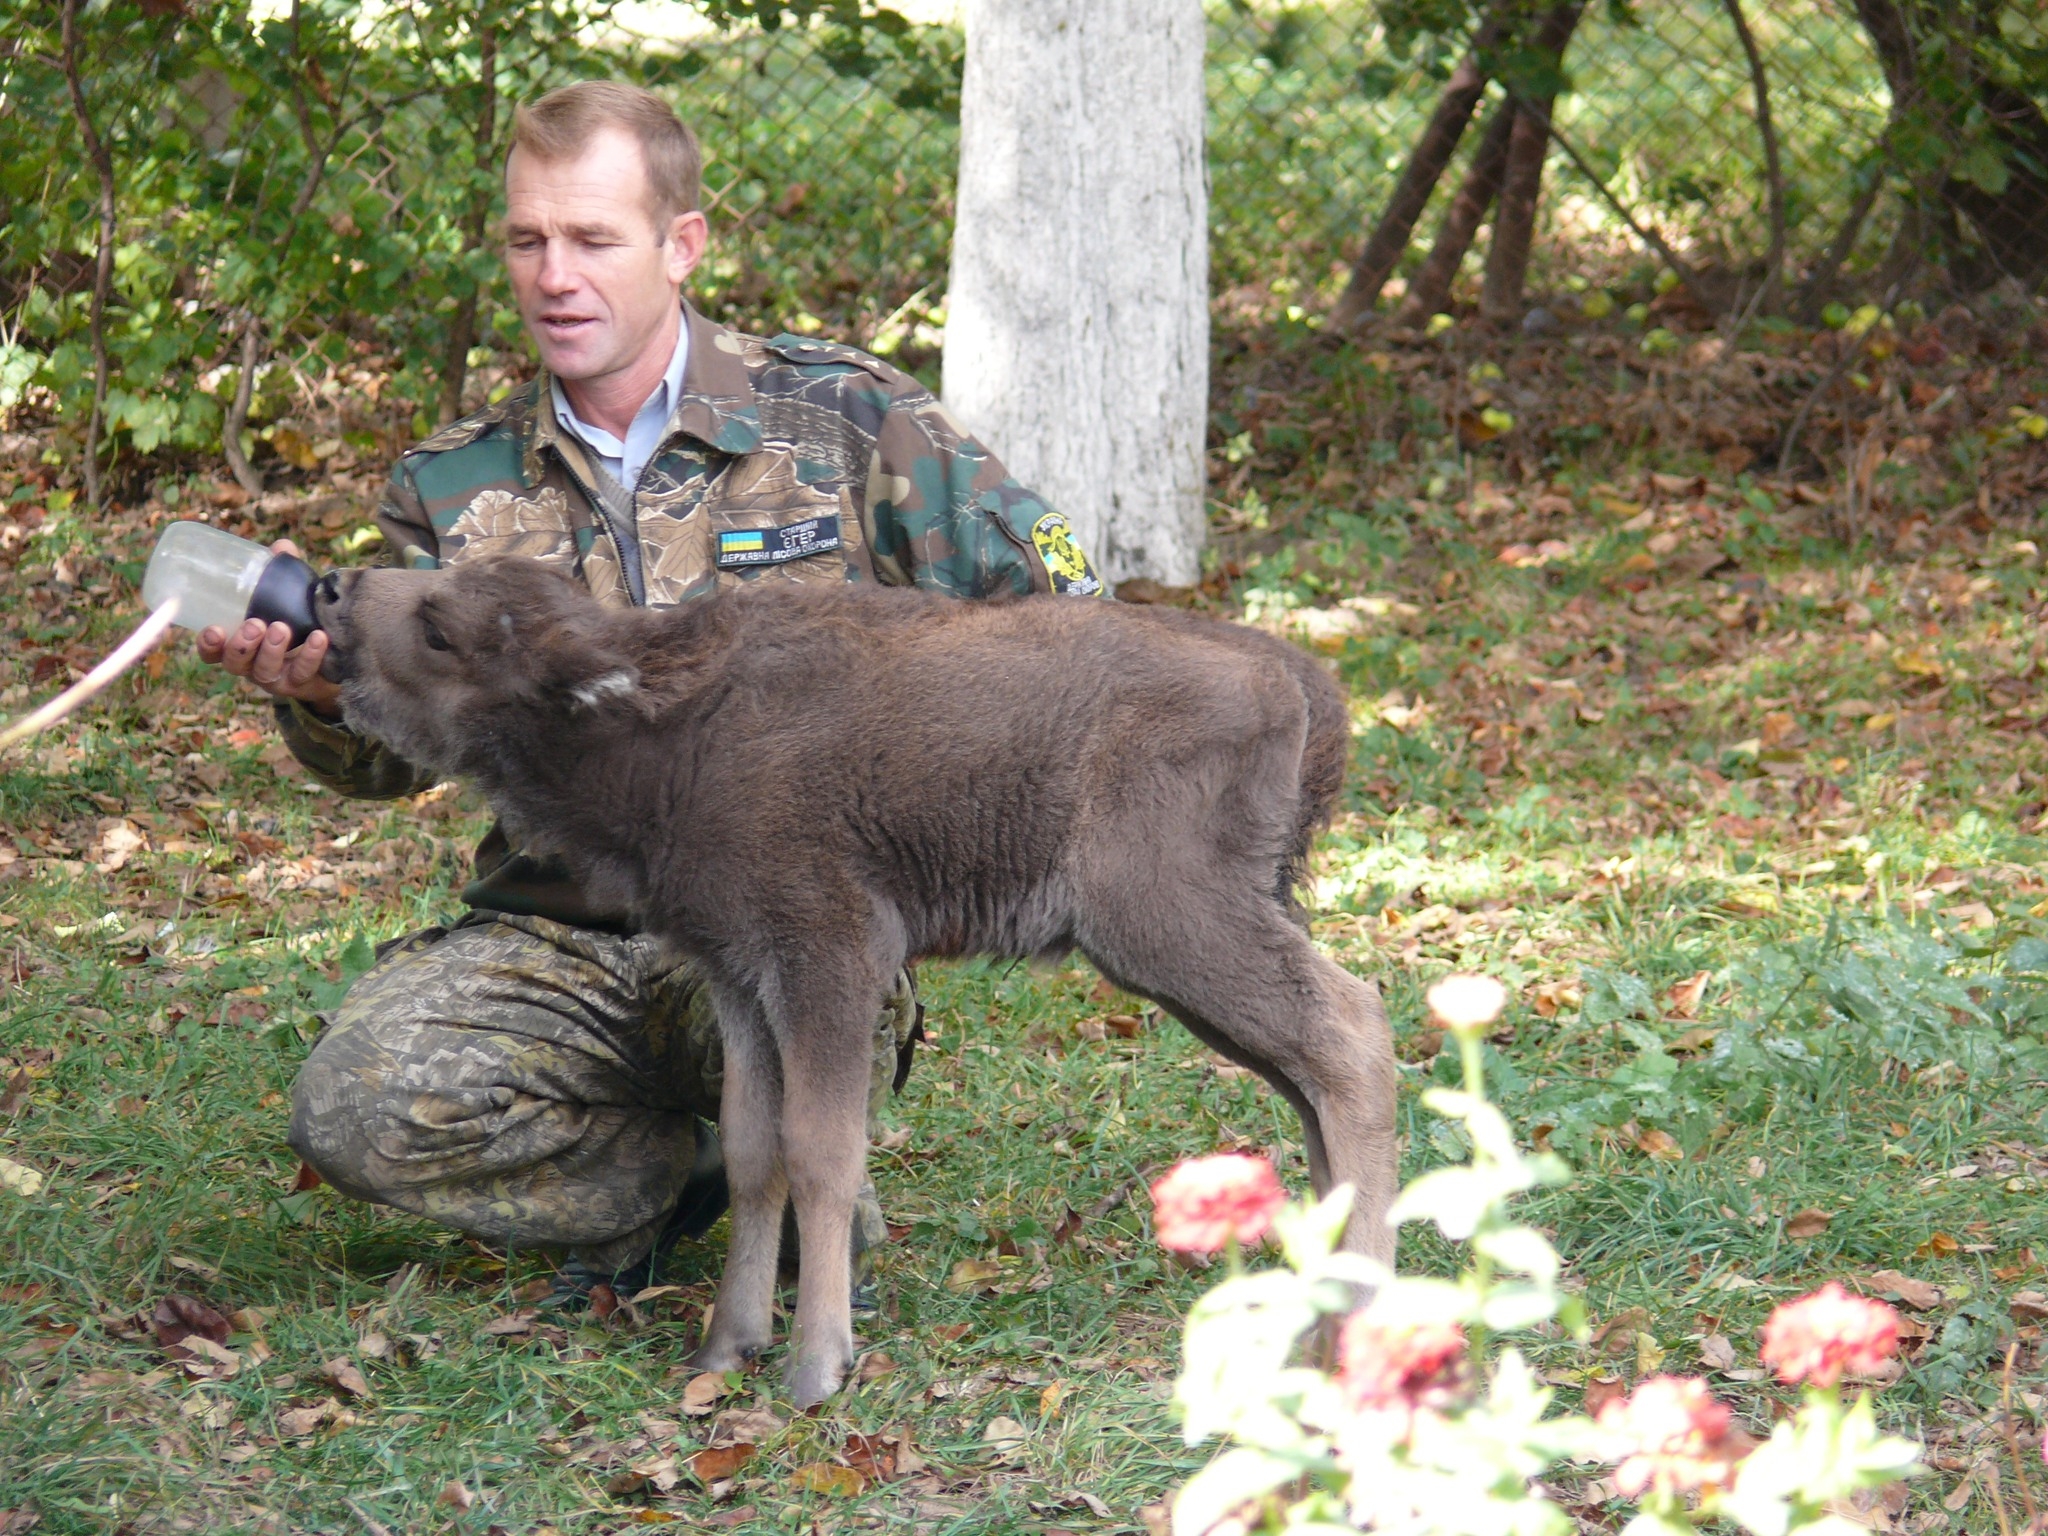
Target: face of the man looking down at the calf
(597,282)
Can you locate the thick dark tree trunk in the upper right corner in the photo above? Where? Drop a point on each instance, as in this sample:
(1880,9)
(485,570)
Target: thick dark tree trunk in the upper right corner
(2010,222)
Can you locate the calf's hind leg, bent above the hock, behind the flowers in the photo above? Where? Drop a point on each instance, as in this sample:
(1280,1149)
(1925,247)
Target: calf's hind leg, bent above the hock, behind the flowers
(1252,986)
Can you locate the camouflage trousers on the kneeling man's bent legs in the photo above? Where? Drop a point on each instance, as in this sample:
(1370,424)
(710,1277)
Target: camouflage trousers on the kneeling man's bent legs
(529,1084)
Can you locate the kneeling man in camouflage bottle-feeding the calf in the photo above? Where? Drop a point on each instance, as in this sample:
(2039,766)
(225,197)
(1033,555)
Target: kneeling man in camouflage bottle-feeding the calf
(529,1076)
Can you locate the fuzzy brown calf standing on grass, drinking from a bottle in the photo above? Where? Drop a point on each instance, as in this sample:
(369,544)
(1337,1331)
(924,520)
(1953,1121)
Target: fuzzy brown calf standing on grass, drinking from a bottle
(808,787)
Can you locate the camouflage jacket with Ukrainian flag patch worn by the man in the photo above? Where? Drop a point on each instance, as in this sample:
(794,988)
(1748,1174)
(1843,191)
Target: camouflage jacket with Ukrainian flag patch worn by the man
(783,462)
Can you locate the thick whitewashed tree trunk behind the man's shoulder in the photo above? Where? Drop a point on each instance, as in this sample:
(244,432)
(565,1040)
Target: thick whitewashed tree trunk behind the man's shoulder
(1078,312)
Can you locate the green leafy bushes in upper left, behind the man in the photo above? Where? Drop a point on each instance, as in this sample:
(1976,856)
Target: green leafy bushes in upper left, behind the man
(251,189)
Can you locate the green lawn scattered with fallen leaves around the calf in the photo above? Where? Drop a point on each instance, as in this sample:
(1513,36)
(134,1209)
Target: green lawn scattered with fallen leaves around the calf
(1814,779)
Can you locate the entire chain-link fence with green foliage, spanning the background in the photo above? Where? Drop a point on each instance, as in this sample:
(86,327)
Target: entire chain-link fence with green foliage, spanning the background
(366,284)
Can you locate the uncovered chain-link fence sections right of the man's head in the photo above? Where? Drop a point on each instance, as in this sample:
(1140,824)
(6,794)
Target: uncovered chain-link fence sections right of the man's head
(833,198)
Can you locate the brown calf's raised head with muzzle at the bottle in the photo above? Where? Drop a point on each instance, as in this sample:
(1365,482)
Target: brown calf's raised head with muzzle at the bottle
(452,669)
